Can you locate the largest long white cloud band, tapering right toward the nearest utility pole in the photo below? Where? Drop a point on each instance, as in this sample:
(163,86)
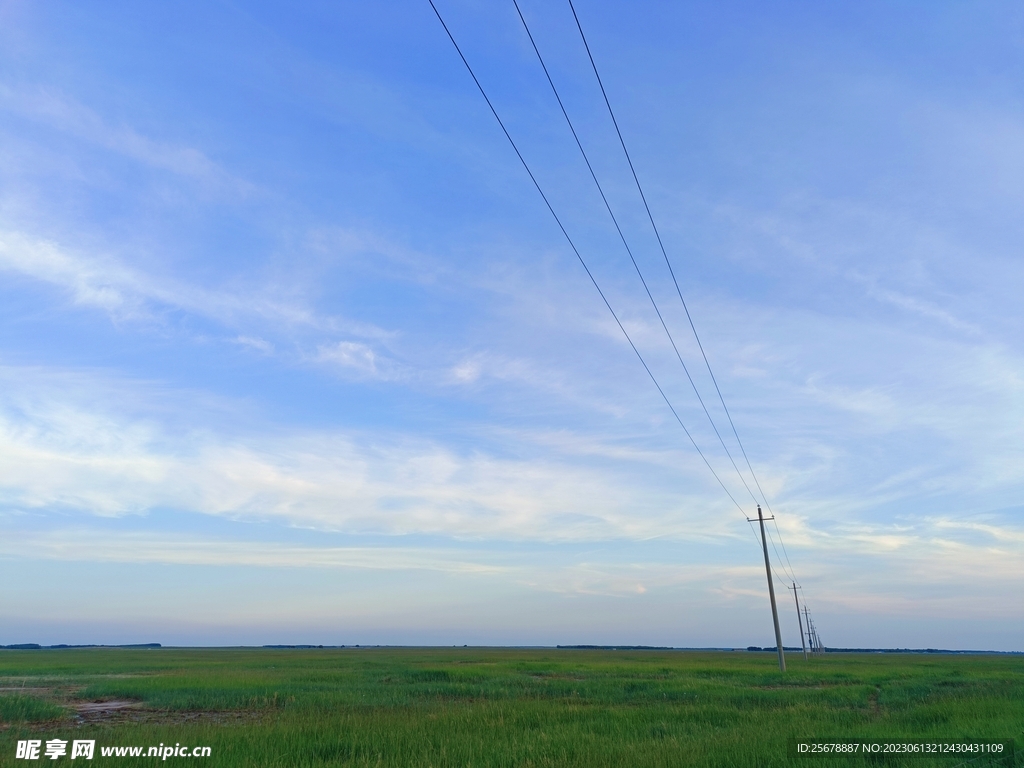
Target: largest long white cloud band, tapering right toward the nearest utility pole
(57,453)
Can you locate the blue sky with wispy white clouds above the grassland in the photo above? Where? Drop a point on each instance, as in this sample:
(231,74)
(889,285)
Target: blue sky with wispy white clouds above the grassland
(292,351)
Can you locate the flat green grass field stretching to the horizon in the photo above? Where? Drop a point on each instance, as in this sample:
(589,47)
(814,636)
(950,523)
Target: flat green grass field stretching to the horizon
(470,707)
